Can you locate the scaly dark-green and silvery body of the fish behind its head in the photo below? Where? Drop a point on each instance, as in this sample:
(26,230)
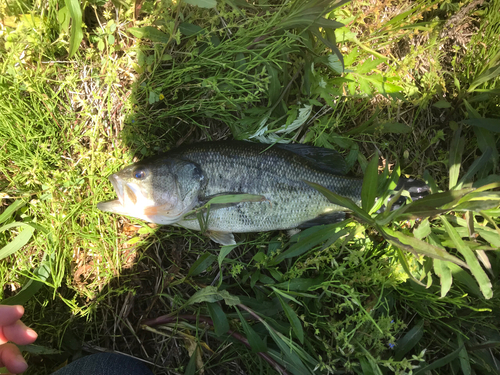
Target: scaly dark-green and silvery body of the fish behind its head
(274,172)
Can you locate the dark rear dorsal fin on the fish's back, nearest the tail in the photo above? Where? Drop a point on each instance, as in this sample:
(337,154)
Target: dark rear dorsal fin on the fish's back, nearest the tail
(327,160)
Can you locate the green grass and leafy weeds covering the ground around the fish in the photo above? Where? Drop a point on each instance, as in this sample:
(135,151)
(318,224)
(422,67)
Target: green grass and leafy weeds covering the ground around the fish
(419,90)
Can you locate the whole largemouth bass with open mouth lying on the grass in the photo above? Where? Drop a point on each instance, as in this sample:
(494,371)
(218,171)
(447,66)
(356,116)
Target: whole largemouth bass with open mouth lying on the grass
(168,189)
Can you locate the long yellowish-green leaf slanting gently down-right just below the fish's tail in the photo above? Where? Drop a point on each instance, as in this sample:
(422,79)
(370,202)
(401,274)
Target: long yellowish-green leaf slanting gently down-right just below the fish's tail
(416,246)
